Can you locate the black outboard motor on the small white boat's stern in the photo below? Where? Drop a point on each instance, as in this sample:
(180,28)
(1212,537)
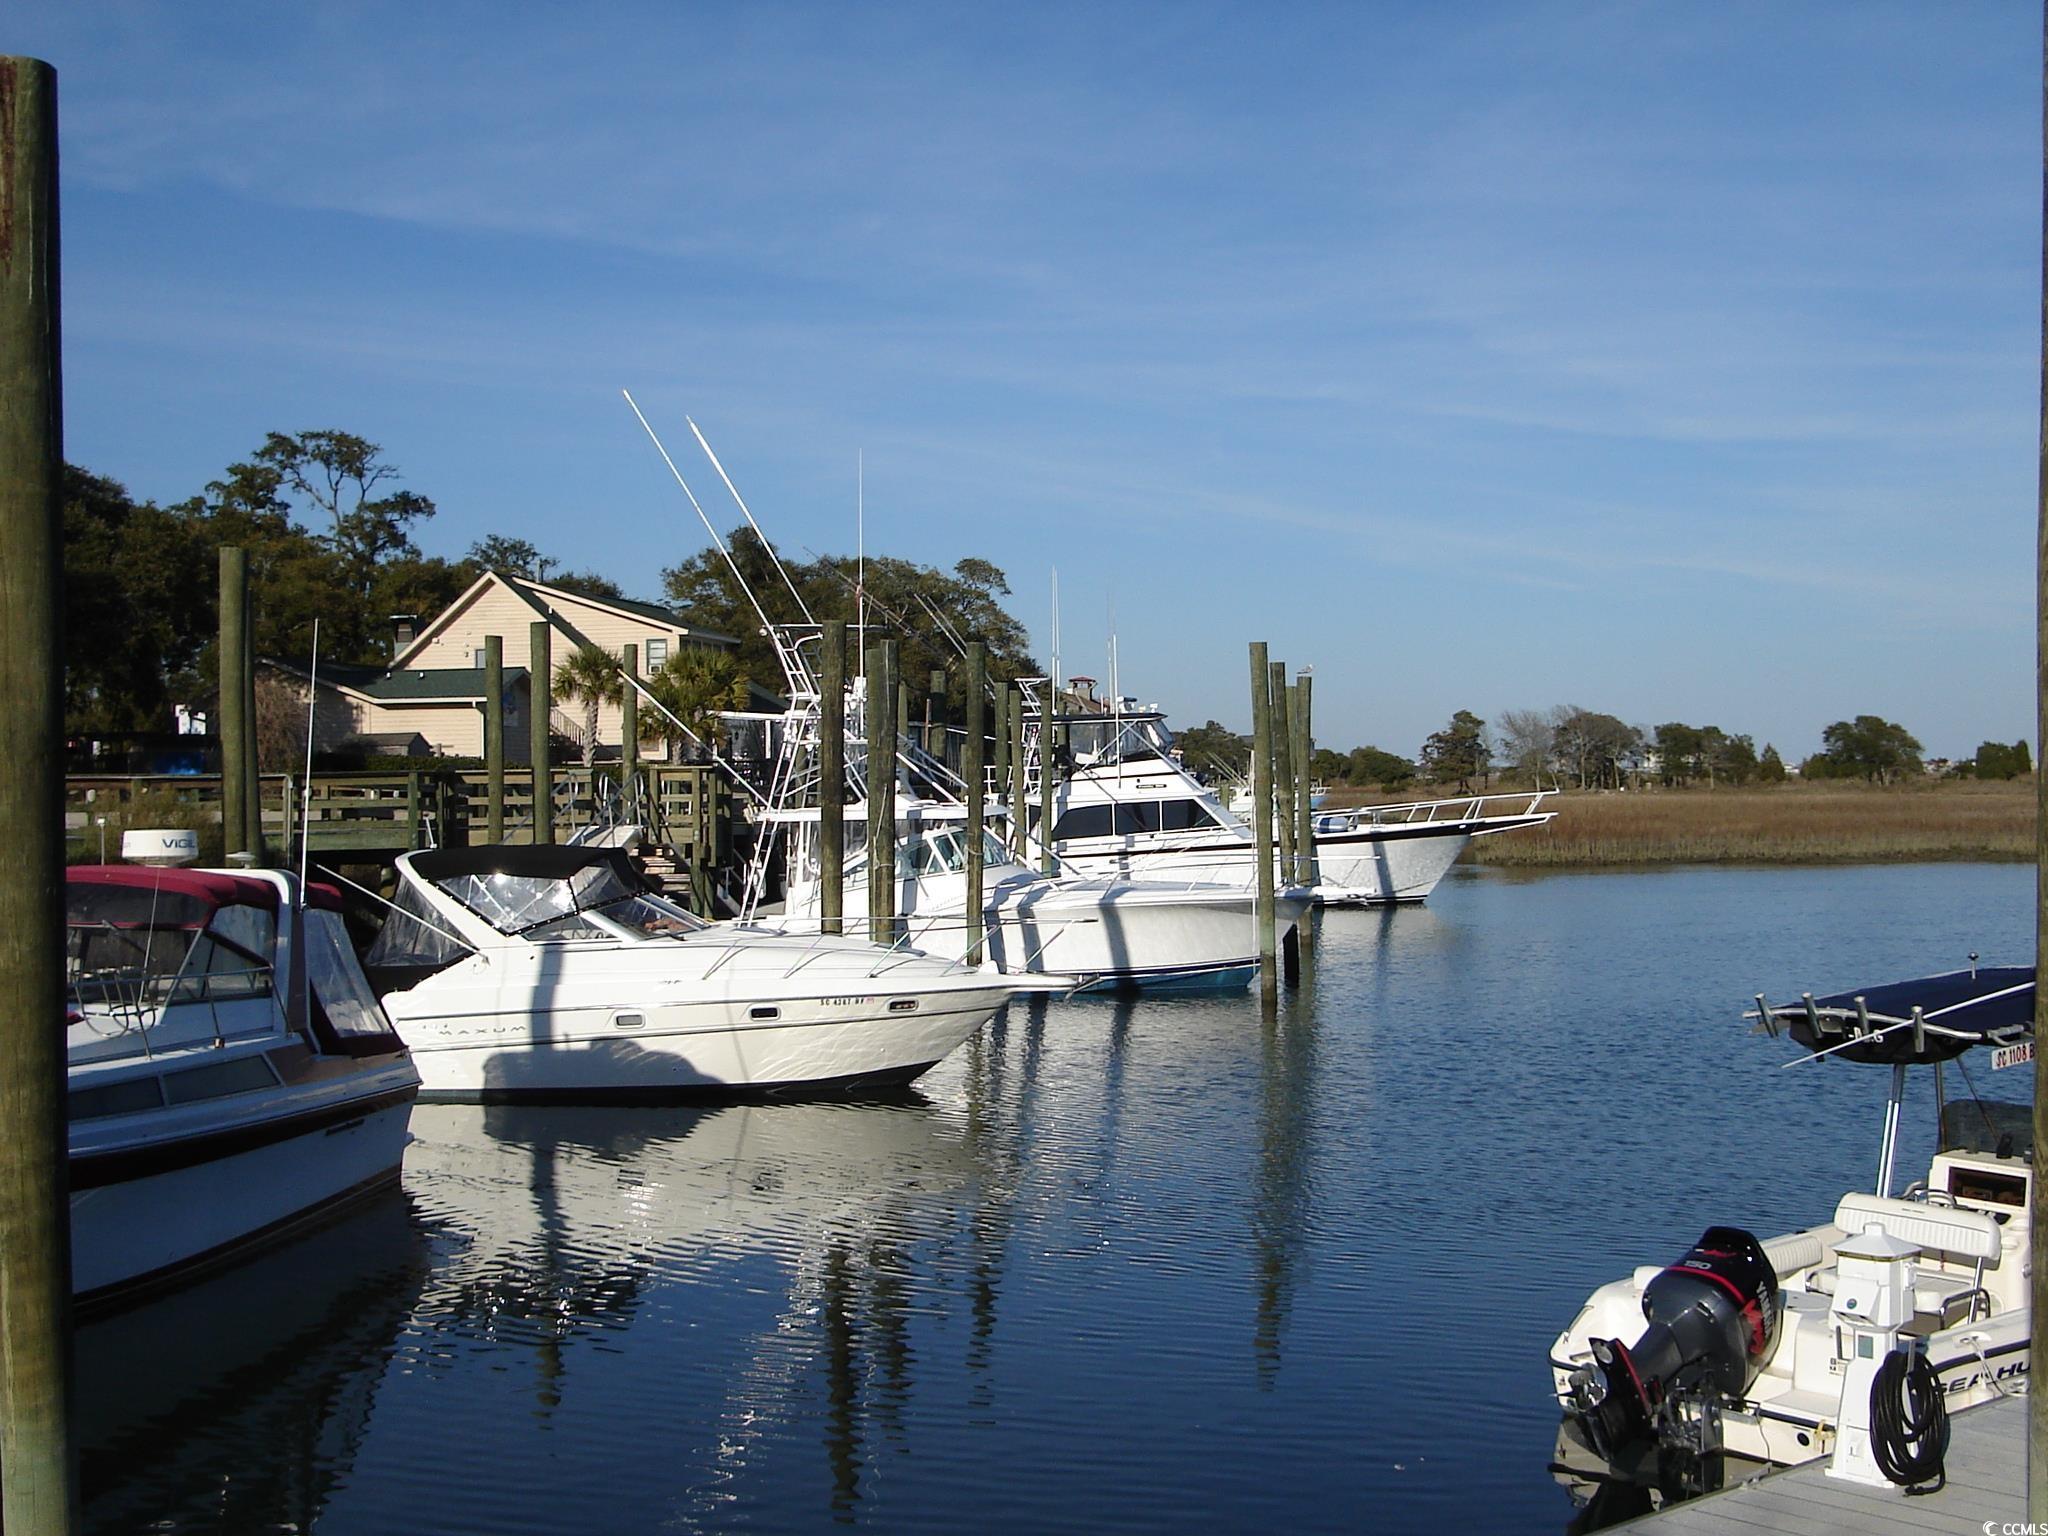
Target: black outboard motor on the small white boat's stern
(1713,1322)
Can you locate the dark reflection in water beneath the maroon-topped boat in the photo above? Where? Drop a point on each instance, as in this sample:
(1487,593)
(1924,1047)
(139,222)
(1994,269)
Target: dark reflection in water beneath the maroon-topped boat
(243,1402)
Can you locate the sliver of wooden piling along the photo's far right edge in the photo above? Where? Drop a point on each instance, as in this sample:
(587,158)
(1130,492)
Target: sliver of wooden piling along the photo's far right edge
(2039,1400)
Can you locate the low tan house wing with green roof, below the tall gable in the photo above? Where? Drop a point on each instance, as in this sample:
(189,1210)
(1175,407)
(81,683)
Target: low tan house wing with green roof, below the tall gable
(407,712)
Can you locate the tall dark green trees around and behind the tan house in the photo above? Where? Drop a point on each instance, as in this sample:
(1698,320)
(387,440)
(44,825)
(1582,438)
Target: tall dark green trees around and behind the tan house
(329,529)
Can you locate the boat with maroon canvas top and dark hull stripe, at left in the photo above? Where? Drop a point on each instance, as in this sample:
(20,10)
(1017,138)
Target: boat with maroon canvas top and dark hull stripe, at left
(230,1070)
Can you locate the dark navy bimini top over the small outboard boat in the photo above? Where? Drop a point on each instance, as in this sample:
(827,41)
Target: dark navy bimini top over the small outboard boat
(1957,1011)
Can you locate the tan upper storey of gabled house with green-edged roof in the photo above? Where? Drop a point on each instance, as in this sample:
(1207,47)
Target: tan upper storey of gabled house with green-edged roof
(509,607)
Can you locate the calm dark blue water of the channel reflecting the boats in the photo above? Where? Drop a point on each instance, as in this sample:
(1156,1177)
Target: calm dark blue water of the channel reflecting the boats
(1117,1267)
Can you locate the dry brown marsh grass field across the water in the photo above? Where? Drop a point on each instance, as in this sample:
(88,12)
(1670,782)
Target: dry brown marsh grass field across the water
(1785,824)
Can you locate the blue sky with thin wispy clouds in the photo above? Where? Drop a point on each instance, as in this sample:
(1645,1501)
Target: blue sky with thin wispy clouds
(1672,361)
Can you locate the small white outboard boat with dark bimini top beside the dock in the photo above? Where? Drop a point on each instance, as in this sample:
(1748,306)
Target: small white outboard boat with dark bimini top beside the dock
(1807,1345)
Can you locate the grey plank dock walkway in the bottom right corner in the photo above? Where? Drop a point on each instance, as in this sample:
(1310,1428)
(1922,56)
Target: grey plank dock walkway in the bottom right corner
(1988,1488)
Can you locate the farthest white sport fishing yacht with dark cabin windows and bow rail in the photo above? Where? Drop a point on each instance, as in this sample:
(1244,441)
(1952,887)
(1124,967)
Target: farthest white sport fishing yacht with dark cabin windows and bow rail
(1129,808)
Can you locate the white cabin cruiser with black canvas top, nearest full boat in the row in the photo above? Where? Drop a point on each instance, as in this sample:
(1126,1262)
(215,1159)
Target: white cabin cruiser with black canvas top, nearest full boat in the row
(558,974)
